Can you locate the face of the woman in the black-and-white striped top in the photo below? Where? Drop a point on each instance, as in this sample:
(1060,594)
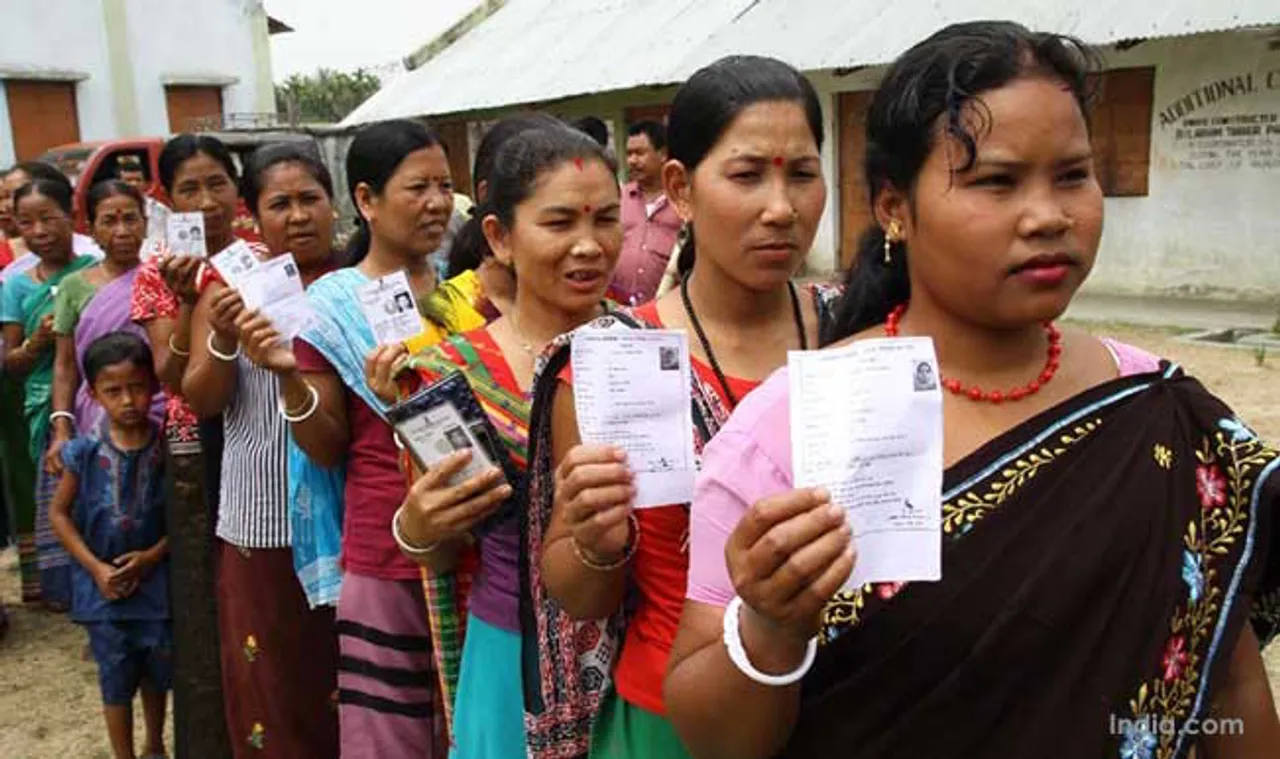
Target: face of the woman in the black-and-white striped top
(296,214)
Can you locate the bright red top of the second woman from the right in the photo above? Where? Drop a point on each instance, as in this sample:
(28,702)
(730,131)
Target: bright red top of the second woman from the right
(660,571)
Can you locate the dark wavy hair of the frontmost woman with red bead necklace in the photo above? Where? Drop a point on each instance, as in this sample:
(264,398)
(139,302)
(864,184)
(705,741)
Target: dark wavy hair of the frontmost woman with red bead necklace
(938,81)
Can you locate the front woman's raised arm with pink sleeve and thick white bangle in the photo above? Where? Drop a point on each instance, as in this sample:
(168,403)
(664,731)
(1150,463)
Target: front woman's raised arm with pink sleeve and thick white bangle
(774,557)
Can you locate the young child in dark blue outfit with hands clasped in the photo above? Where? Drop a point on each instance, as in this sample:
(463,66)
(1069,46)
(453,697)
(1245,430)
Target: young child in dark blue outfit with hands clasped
(109,514)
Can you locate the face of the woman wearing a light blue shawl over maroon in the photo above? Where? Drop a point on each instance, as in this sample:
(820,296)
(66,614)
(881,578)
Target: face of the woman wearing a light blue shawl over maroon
(413,212)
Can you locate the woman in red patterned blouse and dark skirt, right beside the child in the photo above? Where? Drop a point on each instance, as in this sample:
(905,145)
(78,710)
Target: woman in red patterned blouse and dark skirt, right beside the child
(199,176)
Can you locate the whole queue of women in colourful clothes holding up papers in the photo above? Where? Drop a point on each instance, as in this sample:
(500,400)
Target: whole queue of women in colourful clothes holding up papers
(1109,525)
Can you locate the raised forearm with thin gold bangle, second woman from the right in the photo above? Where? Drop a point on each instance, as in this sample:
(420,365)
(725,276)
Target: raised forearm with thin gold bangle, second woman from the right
(593,532)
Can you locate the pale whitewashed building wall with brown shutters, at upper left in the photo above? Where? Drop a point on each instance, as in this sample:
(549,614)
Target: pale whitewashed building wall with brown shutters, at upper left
(164,42)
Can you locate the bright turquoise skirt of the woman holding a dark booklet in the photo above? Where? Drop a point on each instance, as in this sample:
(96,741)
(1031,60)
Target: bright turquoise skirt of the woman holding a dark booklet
(490,711)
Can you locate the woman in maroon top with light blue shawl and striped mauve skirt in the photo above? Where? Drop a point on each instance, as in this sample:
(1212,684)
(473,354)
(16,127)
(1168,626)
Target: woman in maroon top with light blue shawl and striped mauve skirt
(344,452)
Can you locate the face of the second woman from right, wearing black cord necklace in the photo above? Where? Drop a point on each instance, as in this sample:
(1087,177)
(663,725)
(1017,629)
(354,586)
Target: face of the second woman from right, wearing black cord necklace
(757,199)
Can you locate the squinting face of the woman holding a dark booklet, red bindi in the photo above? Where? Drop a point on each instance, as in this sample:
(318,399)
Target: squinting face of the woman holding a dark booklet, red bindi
(565,237)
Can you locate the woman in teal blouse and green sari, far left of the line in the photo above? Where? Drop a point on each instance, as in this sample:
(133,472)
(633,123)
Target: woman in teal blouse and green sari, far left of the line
(44,213)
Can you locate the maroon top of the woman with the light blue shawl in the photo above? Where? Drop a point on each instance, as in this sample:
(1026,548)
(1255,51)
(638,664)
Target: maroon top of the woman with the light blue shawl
(376,486)
